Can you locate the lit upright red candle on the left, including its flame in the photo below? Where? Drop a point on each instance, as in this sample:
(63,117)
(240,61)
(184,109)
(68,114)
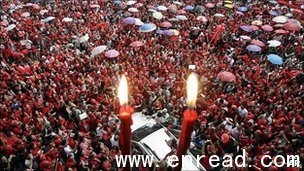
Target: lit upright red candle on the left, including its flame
(125,112)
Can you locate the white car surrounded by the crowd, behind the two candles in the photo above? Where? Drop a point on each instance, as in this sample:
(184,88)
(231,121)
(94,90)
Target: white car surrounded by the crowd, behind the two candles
(151,138)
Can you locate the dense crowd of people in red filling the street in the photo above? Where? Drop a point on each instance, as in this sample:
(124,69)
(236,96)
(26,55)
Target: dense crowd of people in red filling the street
(59,103)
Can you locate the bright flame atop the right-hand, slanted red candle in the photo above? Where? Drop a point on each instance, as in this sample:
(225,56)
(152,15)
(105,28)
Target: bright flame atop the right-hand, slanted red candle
(192,89)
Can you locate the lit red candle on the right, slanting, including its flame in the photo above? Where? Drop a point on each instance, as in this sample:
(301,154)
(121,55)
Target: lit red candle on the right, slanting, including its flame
(189,118)
